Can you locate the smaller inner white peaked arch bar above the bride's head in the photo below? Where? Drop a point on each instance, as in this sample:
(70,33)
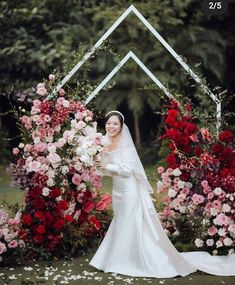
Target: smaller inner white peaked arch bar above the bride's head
(129,55)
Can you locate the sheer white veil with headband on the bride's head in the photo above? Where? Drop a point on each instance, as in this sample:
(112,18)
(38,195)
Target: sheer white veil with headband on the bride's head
(125,145)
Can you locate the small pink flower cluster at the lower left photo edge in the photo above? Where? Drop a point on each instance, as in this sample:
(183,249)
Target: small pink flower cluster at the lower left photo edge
(10,243)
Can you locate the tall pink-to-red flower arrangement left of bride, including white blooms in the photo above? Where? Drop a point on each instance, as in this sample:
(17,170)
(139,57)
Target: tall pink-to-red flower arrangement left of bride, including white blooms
(56,167)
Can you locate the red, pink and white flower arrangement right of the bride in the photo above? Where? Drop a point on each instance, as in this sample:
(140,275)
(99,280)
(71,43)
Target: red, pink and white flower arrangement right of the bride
(199,183)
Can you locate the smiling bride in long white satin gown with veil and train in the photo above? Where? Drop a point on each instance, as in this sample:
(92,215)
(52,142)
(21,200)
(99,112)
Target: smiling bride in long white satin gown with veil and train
(135,243)
